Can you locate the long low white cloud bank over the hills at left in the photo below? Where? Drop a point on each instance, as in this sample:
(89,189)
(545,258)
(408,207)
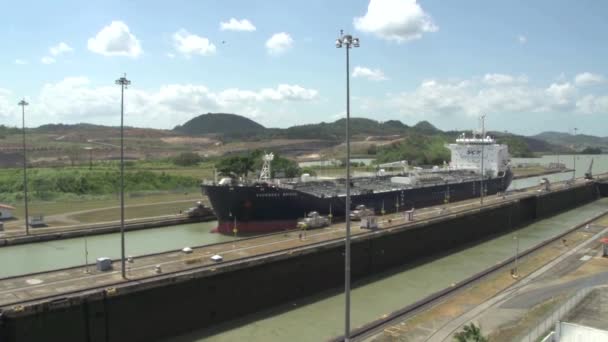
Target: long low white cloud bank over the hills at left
(77,99)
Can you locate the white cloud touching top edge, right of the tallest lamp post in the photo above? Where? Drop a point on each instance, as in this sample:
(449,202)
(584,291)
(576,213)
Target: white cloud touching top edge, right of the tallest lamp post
(395,20)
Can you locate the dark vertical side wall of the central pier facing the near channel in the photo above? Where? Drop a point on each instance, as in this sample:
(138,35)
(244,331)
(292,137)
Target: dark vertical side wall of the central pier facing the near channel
(151,311)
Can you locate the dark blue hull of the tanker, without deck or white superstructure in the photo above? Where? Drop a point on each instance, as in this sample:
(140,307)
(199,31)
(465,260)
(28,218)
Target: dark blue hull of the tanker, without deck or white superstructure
(265,208)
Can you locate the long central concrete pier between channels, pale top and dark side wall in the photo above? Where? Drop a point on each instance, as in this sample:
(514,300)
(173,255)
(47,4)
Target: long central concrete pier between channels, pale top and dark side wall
(193,292)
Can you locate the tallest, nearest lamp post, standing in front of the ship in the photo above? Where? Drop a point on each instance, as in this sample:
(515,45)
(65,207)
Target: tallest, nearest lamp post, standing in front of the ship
(347,41)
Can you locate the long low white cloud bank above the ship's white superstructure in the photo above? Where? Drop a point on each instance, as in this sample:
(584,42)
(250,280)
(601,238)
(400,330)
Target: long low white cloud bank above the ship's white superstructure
(494,93)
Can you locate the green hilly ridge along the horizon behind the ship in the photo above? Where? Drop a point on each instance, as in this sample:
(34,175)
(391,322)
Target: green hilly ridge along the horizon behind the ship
(232,127)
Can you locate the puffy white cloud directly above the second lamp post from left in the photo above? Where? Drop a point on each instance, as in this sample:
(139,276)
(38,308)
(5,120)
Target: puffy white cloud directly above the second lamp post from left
(115,39)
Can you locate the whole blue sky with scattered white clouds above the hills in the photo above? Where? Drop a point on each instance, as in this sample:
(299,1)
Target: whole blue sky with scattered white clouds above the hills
(530,66)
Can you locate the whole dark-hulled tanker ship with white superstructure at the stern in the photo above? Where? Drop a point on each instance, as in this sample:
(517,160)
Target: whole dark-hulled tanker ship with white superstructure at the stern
(272,205)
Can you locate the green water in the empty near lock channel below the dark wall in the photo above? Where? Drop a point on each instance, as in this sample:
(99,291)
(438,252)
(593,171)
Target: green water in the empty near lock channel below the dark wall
(321,318)
